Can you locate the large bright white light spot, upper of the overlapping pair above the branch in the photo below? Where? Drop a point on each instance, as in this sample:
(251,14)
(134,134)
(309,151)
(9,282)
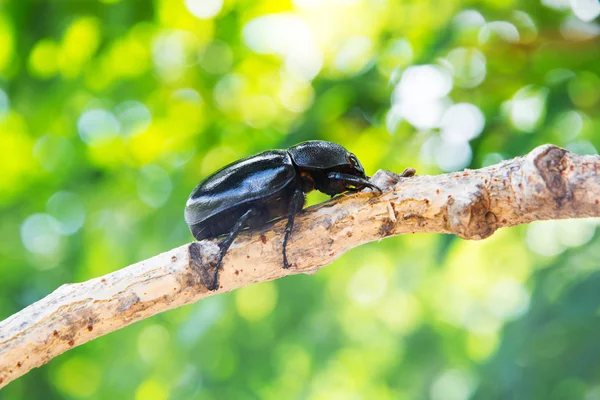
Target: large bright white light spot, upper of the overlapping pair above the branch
(423,83)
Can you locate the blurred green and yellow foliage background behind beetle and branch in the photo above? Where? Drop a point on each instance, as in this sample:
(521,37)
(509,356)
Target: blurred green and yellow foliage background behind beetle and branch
(112,111)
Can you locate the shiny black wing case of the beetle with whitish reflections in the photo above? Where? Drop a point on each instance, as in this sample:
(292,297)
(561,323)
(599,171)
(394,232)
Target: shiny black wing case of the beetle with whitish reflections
(243,181)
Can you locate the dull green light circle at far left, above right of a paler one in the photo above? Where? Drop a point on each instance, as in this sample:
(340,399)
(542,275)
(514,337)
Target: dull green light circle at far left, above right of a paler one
(68,210)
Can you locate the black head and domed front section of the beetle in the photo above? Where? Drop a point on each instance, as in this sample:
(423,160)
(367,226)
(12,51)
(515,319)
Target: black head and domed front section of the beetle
(318,161)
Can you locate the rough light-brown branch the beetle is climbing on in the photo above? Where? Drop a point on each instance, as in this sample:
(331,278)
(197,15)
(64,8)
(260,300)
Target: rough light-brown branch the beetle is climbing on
(548,183)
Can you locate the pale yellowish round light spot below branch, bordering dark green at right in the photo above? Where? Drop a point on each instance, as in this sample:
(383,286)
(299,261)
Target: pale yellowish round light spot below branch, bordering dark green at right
(508,299)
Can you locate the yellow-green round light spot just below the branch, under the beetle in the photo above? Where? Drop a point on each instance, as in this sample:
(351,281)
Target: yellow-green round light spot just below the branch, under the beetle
(256,302)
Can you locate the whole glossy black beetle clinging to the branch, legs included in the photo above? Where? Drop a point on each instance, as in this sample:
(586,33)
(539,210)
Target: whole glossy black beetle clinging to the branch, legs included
(252,191)
